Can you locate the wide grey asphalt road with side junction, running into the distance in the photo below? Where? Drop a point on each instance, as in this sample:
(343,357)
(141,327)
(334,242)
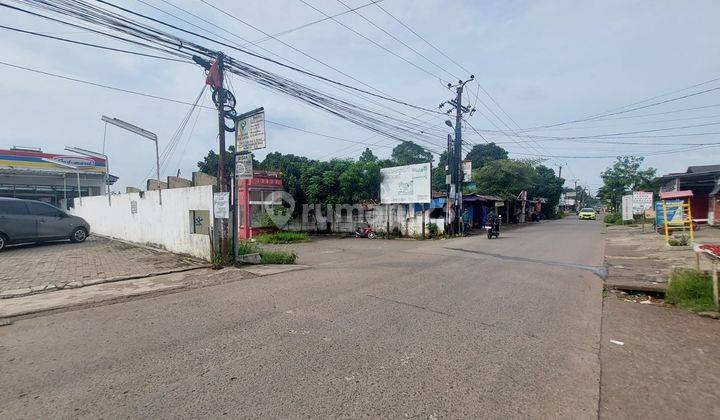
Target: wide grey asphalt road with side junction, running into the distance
(453,328)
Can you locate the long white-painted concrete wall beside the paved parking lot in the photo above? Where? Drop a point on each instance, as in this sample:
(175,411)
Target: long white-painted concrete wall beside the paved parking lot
(139,217)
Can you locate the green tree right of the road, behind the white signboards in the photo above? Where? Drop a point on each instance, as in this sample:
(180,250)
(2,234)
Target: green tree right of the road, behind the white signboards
(624,177)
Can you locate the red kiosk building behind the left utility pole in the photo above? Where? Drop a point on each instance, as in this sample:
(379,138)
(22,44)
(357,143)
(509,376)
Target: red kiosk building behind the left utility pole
(253,194)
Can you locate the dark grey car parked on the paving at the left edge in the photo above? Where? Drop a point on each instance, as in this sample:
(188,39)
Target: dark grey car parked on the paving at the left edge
(24,221)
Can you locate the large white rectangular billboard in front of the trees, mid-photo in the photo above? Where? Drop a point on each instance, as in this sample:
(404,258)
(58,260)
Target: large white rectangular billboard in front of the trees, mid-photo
(406,184)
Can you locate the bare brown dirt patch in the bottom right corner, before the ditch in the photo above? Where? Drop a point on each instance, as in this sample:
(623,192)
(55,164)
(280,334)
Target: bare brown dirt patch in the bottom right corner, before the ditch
(668,367)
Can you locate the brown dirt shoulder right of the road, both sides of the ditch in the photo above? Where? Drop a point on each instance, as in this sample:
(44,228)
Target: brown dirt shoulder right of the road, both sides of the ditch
(657,361)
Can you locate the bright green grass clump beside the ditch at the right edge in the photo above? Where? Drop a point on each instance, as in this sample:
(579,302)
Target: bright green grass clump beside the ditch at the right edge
(690,290)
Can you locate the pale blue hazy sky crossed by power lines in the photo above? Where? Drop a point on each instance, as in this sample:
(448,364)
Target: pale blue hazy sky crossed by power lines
(536,63)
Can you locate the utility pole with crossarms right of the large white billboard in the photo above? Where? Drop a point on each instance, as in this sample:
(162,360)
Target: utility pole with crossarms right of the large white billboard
(455,153)
